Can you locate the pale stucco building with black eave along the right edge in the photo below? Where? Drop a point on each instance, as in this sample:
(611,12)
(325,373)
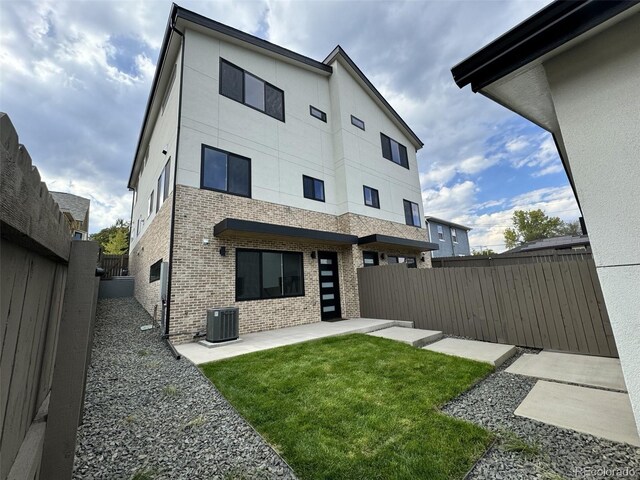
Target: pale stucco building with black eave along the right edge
(573,68)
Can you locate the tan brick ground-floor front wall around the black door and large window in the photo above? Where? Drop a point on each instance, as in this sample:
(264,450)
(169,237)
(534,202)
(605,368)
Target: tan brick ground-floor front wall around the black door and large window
(202,278)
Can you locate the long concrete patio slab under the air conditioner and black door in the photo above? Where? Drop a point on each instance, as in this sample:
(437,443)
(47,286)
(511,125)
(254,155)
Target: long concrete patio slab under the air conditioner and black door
(253,342)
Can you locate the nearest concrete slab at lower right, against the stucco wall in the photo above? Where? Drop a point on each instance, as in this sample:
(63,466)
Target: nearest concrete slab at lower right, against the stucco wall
(597,412)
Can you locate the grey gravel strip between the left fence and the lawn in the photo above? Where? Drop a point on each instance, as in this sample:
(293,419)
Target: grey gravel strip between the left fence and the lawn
(148,415)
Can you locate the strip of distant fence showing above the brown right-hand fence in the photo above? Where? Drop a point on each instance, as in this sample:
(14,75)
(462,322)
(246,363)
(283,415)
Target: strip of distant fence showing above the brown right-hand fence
(515,259)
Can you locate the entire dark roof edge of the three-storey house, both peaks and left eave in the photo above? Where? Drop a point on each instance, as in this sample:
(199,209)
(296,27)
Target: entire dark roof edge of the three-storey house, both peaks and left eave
(237,36)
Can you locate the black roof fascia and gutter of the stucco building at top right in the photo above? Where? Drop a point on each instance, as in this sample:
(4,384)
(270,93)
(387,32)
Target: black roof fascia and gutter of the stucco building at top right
(546,30)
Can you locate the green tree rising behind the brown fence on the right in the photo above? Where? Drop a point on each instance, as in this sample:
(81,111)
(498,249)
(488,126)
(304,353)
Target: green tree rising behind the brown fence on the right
(534,225)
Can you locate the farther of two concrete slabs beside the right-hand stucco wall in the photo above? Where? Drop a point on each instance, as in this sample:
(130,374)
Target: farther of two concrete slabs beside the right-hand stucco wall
(570,368)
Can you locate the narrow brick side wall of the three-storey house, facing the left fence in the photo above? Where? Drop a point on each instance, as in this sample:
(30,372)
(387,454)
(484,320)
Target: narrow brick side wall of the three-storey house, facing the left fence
(151,247)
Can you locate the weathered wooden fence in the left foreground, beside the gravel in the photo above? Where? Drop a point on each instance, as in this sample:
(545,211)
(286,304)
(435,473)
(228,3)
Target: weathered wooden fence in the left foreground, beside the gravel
(47,299)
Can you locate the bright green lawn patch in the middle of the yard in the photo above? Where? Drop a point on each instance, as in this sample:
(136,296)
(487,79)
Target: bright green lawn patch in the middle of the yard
(357,407)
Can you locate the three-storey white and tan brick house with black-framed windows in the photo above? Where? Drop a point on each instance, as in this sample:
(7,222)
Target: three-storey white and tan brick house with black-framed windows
(263,179)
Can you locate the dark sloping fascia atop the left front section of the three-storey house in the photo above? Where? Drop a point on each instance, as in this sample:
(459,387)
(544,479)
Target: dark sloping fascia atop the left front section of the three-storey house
(203,21)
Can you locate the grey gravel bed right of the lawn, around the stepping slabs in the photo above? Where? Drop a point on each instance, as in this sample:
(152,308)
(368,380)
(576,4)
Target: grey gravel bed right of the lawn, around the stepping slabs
(527,449)
